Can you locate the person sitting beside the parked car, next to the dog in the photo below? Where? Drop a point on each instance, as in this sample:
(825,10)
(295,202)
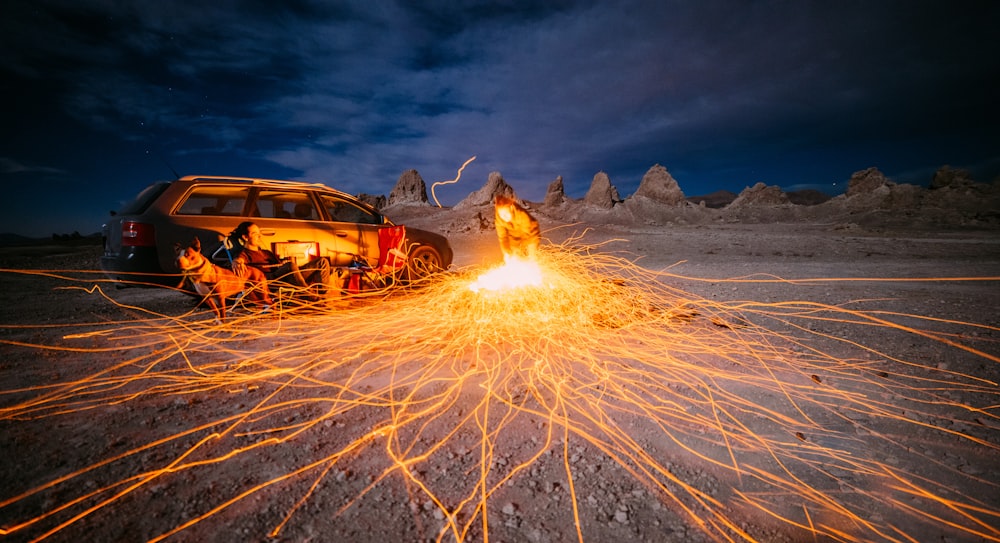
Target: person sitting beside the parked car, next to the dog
(247,237)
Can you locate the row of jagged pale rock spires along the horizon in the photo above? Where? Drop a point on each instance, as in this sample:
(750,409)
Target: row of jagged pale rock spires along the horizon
(953,199)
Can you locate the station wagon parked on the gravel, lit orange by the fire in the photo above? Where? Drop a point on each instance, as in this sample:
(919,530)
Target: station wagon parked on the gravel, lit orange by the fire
(298,220)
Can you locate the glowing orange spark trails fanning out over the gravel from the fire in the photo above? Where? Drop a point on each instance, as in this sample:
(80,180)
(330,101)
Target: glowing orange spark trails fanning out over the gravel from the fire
(438,404)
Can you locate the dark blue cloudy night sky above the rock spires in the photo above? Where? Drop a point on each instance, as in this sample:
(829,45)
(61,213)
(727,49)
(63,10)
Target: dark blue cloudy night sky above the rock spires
(104,97)
